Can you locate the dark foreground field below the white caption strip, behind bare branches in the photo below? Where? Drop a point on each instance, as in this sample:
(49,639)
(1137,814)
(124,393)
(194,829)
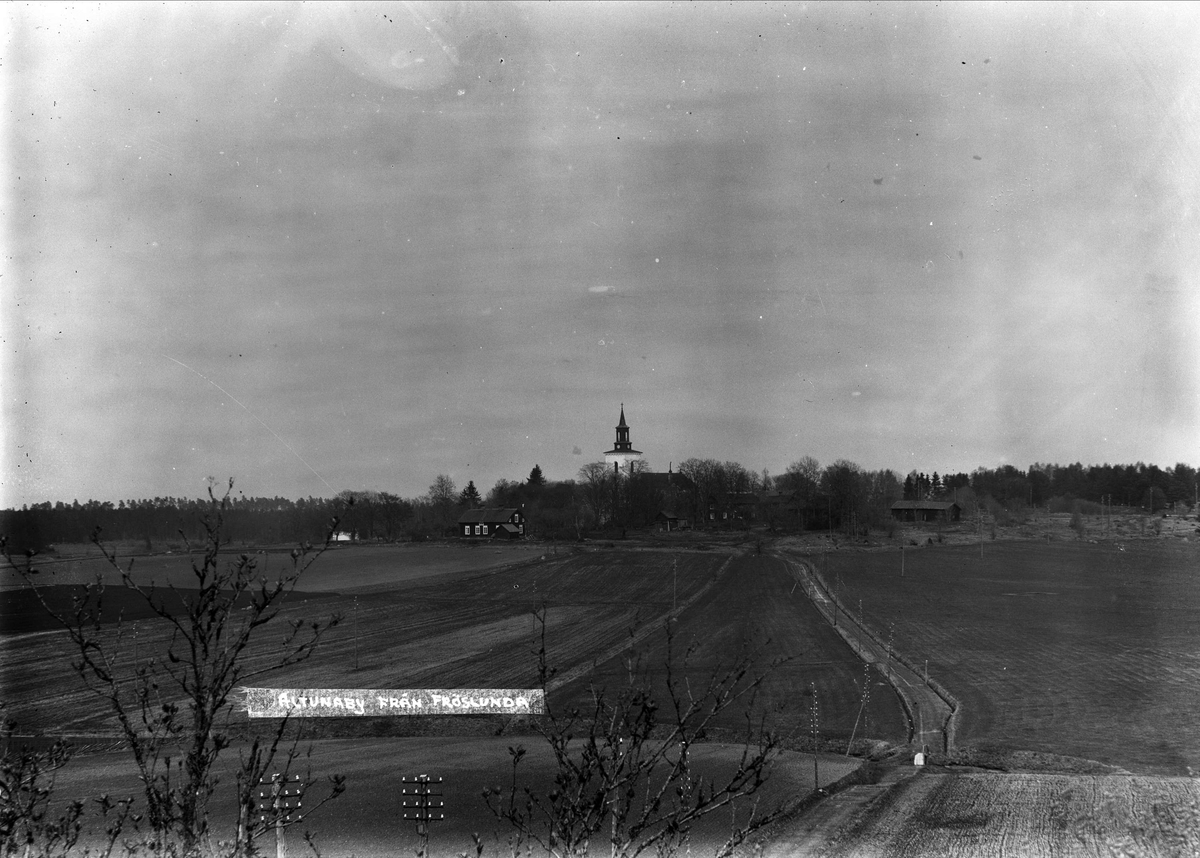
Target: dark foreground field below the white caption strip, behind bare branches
(365,821)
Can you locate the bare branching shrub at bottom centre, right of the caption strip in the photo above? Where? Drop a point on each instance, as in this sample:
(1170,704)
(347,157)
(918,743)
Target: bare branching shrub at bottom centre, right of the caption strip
(626,772)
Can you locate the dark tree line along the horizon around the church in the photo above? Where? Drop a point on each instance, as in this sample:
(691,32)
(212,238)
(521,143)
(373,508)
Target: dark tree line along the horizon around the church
(841,496)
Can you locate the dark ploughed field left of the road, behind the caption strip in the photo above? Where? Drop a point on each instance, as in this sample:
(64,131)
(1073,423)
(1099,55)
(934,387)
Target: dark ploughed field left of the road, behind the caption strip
(476,629)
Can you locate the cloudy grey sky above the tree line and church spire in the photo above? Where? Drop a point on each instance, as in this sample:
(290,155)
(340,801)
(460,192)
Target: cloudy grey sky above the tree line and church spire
(329,247)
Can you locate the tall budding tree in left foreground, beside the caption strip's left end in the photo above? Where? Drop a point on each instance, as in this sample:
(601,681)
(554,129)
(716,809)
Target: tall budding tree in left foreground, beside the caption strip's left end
(175,709)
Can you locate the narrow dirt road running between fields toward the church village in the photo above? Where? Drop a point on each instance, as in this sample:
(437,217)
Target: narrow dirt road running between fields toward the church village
(823,598)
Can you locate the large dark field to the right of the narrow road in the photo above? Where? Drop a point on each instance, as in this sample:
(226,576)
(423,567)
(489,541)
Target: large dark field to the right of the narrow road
(1073,649)
